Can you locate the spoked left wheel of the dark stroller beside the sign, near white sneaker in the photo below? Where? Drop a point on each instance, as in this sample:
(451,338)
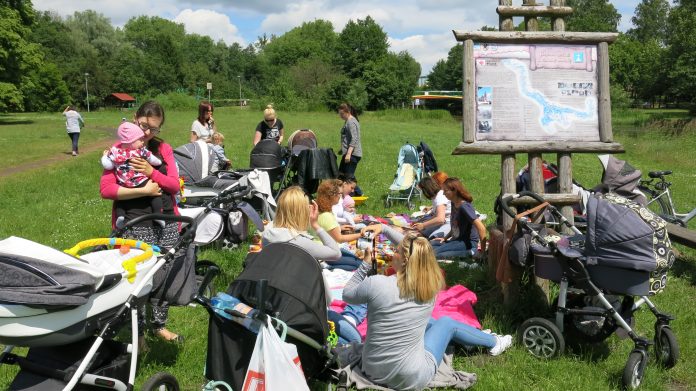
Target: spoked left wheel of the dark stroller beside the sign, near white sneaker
(541,338)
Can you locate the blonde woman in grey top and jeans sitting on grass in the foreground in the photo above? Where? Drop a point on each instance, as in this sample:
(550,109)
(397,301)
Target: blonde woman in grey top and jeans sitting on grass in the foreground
(404,345)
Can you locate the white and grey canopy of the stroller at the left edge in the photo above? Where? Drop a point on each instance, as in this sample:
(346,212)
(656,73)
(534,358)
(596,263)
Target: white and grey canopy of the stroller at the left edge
(40,276)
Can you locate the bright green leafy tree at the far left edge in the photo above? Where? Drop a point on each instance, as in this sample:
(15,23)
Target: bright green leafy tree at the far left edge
(18,56)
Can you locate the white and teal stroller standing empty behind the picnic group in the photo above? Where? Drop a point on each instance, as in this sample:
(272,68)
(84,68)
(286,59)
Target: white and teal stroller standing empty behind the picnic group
(408,173)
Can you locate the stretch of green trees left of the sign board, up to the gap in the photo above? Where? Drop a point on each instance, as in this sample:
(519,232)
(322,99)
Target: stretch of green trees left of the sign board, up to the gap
(48,61)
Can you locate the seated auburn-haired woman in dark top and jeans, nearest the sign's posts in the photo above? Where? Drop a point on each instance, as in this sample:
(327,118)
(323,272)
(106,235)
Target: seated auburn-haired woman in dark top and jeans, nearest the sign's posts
(466,228)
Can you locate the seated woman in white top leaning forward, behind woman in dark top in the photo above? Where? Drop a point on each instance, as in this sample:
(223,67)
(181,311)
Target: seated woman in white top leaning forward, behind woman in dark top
(436,224)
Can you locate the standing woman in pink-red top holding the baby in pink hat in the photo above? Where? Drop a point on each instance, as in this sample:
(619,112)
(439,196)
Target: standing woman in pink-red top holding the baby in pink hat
(164,183)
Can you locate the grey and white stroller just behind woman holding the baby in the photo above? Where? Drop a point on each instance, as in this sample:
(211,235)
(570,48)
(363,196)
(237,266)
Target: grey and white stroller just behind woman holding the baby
(196,162)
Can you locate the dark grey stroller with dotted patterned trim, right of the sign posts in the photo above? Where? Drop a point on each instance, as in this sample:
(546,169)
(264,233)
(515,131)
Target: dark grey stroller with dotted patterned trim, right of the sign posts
(626,253)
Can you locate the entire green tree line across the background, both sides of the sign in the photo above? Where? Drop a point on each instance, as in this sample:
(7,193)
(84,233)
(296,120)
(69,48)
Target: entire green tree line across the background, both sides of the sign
(45,60)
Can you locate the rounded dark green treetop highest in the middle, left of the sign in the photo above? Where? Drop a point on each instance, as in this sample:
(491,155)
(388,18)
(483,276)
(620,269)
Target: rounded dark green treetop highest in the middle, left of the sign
(359,44)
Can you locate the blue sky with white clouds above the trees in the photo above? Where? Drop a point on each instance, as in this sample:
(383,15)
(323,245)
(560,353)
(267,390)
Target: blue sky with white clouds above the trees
(423,28)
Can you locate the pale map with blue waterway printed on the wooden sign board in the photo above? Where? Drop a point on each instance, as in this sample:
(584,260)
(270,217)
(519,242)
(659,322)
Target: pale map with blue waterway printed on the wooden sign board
(543,92)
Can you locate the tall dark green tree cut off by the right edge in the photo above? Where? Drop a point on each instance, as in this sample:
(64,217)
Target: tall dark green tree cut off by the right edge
(681,55)
